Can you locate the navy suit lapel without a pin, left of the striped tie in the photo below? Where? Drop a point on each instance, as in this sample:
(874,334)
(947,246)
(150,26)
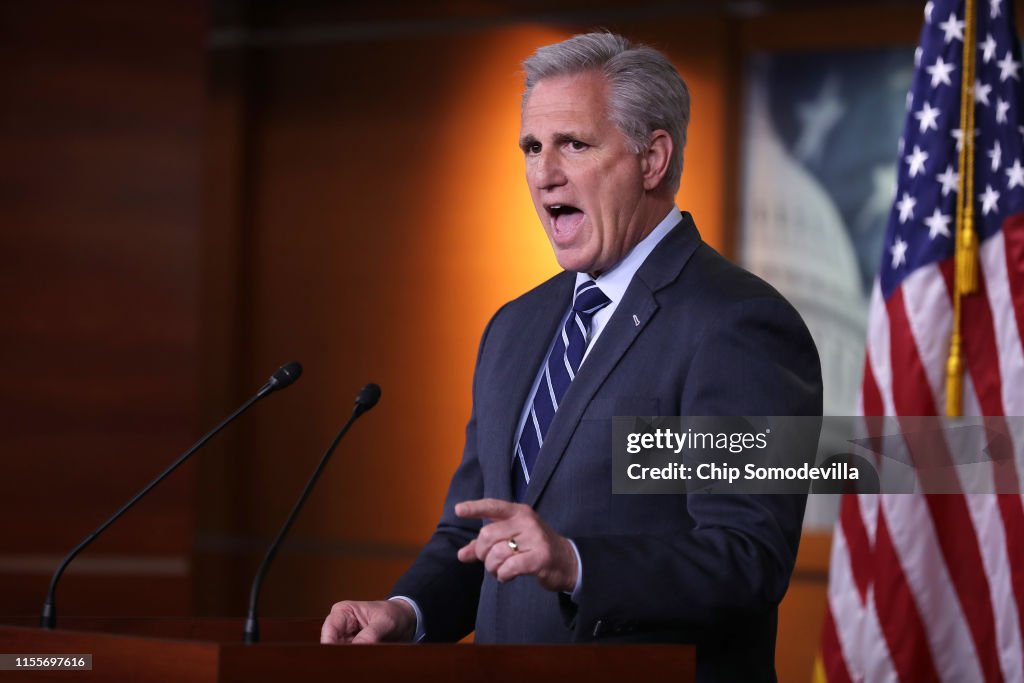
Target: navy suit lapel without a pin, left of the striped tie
(528,351)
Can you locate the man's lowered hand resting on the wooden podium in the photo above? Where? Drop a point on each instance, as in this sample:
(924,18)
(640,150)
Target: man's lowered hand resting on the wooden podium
(376,622)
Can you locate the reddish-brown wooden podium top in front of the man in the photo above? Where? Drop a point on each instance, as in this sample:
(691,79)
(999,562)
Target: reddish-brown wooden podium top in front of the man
(205,651)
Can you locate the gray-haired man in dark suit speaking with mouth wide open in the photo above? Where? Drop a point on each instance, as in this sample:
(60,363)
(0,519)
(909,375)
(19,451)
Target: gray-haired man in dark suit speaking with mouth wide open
(647,320)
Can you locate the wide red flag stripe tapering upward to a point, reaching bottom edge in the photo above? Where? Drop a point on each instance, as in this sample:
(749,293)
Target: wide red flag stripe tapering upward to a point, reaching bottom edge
(902,625)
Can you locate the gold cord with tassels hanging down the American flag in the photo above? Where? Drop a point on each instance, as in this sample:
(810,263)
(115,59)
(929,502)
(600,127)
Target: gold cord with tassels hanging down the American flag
(966,273)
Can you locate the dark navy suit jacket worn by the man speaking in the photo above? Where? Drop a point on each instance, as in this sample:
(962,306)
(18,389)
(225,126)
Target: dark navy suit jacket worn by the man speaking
(708,338)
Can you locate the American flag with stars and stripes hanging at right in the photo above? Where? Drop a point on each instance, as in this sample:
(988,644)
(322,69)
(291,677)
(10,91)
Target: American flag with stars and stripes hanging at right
(931,587)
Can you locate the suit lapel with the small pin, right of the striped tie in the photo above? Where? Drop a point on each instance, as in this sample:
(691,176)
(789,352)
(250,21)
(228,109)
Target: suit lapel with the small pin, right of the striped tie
(632,316)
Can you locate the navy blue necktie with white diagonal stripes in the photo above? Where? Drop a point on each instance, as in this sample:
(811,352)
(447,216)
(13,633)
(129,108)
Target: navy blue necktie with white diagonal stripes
(562,366)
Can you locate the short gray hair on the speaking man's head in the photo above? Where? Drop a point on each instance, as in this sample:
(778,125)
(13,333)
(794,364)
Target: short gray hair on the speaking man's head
(646,92)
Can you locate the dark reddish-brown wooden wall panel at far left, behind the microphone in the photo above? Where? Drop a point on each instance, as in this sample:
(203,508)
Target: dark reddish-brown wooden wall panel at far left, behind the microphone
(99,228)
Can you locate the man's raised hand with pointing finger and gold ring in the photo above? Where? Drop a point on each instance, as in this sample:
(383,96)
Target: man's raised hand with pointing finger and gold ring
(518,543)
